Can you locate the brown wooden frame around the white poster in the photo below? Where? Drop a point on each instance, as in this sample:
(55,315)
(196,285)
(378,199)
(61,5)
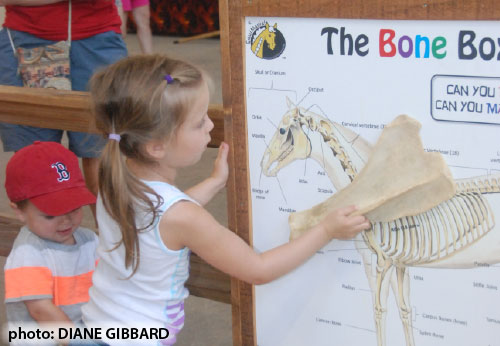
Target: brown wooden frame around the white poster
(232,15)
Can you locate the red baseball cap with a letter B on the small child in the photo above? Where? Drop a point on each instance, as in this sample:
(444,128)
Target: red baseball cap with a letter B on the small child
(48,175)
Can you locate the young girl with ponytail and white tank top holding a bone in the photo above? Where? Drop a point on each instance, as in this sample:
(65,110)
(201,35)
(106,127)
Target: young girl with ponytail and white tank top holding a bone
(154,110)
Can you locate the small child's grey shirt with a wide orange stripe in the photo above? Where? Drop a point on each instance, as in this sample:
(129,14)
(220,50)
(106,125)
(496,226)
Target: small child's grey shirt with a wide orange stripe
(41,269)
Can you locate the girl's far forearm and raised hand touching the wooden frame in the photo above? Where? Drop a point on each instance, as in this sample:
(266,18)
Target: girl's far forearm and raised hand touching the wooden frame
(208,188)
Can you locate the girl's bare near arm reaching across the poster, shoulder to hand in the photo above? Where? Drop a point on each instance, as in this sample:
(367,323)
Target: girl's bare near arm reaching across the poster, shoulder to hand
(186,224)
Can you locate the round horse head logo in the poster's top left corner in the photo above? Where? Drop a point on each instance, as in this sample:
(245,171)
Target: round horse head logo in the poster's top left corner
(266,41)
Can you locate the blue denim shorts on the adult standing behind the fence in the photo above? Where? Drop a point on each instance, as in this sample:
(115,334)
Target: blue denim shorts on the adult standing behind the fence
(87,55)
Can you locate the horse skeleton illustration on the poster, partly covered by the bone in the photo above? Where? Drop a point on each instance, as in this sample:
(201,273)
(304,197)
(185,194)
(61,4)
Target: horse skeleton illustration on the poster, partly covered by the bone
(458,233)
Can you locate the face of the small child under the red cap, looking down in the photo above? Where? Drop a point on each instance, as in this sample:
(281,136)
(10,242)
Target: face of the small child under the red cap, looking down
(58,229)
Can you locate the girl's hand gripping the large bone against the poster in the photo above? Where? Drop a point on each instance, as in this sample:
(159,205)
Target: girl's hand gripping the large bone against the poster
(340,224)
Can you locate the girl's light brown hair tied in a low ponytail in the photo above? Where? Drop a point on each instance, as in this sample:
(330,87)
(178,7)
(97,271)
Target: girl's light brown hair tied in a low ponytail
(135,99)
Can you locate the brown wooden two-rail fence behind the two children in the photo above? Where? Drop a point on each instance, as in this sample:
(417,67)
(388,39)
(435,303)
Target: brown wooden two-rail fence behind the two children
(70,110)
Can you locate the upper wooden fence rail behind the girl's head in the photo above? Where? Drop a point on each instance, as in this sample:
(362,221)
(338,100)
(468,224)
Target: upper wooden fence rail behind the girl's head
(69,110)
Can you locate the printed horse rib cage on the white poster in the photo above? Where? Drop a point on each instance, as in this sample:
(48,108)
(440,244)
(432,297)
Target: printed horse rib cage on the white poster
(439,232)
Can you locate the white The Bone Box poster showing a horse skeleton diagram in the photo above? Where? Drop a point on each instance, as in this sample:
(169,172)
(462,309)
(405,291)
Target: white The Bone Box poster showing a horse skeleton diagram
(318,93)
